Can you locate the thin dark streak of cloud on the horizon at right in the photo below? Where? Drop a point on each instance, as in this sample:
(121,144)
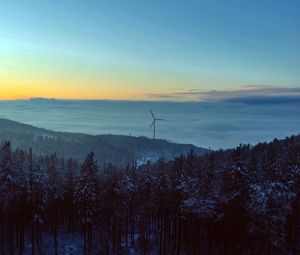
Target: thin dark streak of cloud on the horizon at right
(254,94)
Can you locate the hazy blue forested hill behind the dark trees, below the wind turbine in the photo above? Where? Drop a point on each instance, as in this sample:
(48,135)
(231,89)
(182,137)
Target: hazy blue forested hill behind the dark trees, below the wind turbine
(121,150)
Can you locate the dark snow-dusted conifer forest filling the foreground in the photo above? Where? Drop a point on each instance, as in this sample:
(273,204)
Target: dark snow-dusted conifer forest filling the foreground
(240,201)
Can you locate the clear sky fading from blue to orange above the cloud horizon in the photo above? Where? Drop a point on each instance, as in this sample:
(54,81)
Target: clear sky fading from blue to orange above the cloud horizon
(130,49)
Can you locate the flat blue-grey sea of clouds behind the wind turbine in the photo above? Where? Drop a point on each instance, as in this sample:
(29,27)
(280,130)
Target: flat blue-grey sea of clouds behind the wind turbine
(220,122)
